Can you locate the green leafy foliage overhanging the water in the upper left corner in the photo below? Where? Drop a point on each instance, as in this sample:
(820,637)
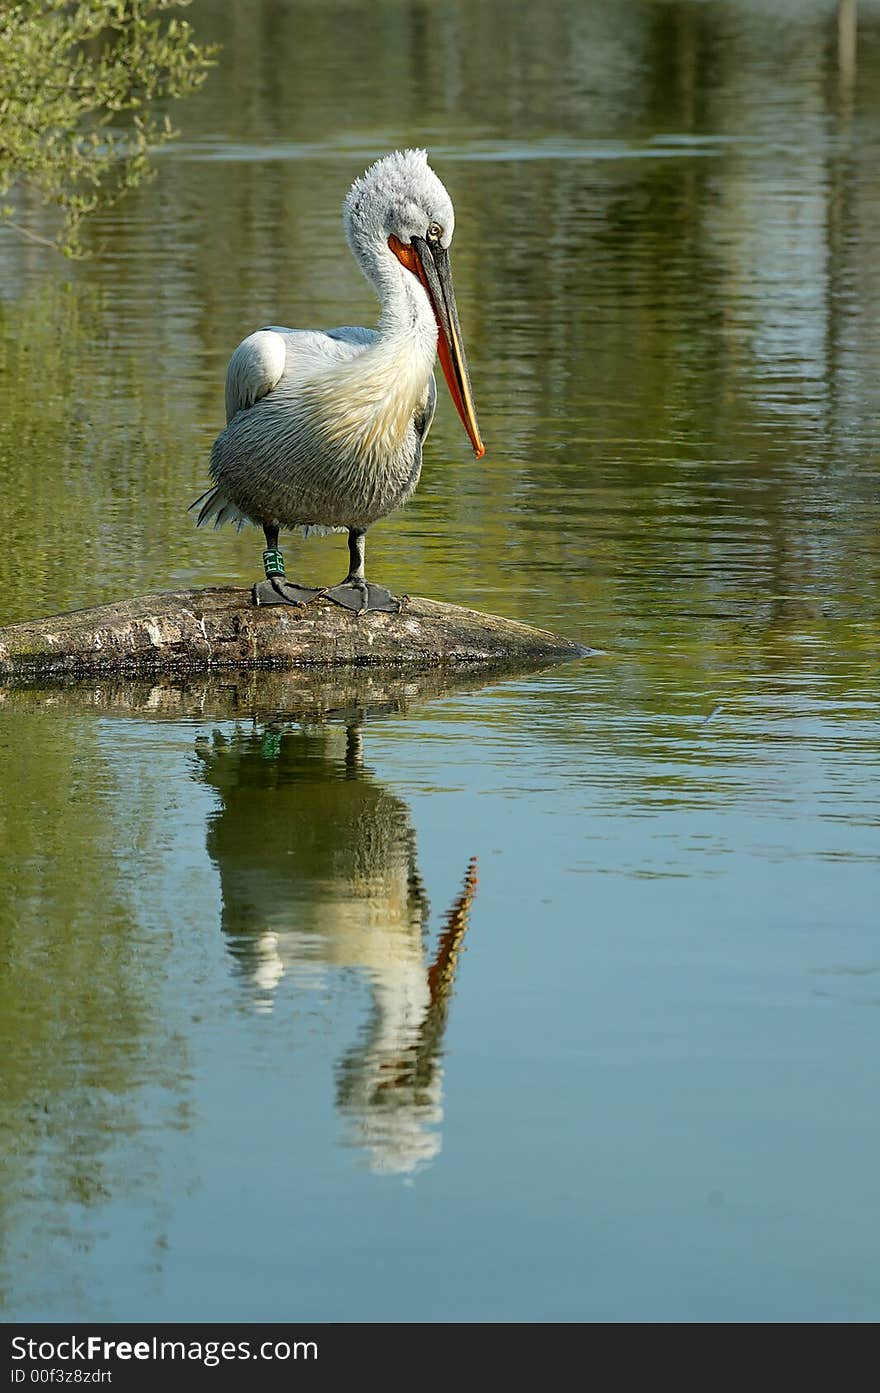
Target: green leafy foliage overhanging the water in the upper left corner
(77,83)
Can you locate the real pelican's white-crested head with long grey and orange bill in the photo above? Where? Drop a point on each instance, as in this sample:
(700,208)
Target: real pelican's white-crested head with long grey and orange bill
(400,208)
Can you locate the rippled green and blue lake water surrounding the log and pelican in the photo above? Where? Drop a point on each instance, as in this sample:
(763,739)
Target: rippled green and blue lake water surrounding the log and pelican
(544,998)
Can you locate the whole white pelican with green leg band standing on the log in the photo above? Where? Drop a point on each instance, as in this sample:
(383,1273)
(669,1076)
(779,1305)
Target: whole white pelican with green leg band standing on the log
(325,430)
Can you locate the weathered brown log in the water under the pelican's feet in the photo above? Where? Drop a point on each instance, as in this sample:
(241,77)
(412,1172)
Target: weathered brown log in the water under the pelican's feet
(186,632)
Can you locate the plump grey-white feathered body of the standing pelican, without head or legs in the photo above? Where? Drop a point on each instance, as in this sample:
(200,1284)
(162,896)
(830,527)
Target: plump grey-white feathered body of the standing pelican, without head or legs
(324,431)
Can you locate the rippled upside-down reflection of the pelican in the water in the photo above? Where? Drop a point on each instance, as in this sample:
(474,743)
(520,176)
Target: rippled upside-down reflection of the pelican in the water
(299,902)
